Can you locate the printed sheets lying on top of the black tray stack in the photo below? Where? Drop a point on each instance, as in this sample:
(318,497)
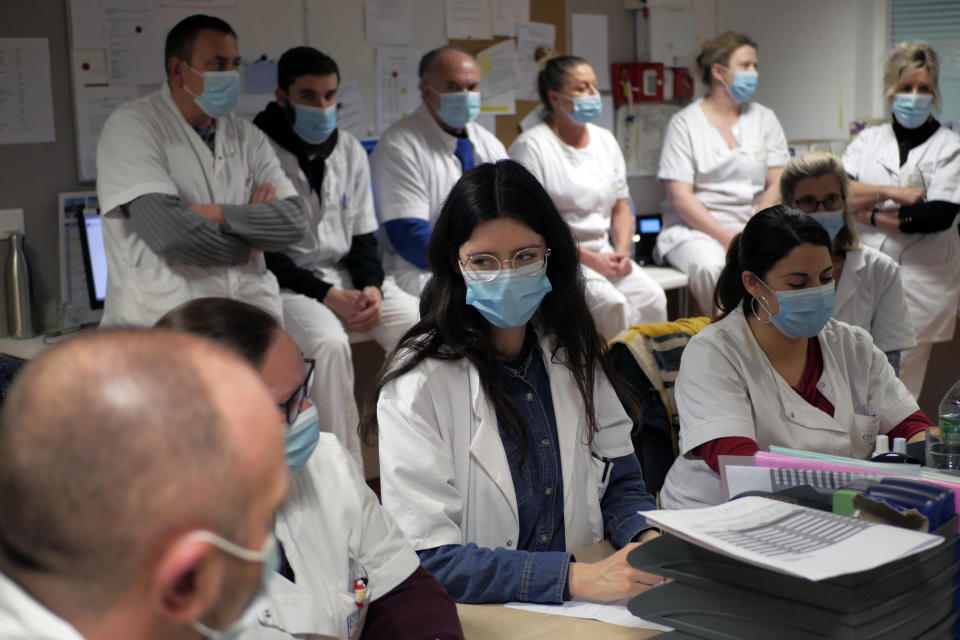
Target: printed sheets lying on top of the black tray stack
(795,540)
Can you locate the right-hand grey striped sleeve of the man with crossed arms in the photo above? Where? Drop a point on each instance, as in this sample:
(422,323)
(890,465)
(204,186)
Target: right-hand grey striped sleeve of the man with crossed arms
(271,226)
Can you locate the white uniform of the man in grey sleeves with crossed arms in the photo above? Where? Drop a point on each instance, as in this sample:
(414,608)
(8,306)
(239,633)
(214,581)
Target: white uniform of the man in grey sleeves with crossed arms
(148,147)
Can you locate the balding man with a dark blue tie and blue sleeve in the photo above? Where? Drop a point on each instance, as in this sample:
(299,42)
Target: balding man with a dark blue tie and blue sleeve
(420,157)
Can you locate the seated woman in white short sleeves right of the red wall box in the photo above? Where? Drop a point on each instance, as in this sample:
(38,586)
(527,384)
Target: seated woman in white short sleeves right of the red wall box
(720,162)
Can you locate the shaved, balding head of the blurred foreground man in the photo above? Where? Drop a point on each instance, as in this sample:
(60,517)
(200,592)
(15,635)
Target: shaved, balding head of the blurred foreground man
(112,442)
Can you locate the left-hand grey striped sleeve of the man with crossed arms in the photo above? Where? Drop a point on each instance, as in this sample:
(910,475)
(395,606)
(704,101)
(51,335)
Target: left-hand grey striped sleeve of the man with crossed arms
(175,231)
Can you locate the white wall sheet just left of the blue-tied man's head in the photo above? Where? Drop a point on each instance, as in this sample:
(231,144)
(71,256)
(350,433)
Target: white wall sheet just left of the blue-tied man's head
(397,93)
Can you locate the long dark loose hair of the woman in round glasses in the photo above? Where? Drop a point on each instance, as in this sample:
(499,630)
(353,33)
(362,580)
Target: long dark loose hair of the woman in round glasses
(451,330)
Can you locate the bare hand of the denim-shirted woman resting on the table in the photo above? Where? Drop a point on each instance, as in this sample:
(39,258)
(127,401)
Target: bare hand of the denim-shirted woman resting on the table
(610,579)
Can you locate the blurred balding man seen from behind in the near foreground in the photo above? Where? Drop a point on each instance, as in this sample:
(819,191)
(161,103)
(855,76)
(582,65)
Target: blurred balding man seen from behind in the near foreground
(140,474)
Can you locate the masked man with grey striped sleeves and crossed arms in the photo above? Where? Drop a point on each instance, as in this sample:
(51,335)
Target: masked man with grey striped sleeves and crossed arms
(191,194)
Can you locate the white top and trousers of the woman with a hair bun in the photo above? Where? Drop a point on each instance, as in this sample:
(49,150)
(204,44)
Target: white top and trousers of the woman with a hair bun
(585,184)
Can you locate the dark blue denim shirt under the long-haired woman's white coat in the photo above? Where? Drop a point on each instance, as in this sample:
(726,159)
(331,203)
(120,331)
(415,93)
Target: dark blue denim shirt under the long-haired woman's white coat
(537,570)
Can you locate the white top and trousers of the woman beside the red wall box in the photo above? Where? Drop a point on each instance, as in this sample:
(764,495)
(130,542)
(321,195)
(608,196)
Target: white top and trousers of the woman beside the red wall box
(729,183)
